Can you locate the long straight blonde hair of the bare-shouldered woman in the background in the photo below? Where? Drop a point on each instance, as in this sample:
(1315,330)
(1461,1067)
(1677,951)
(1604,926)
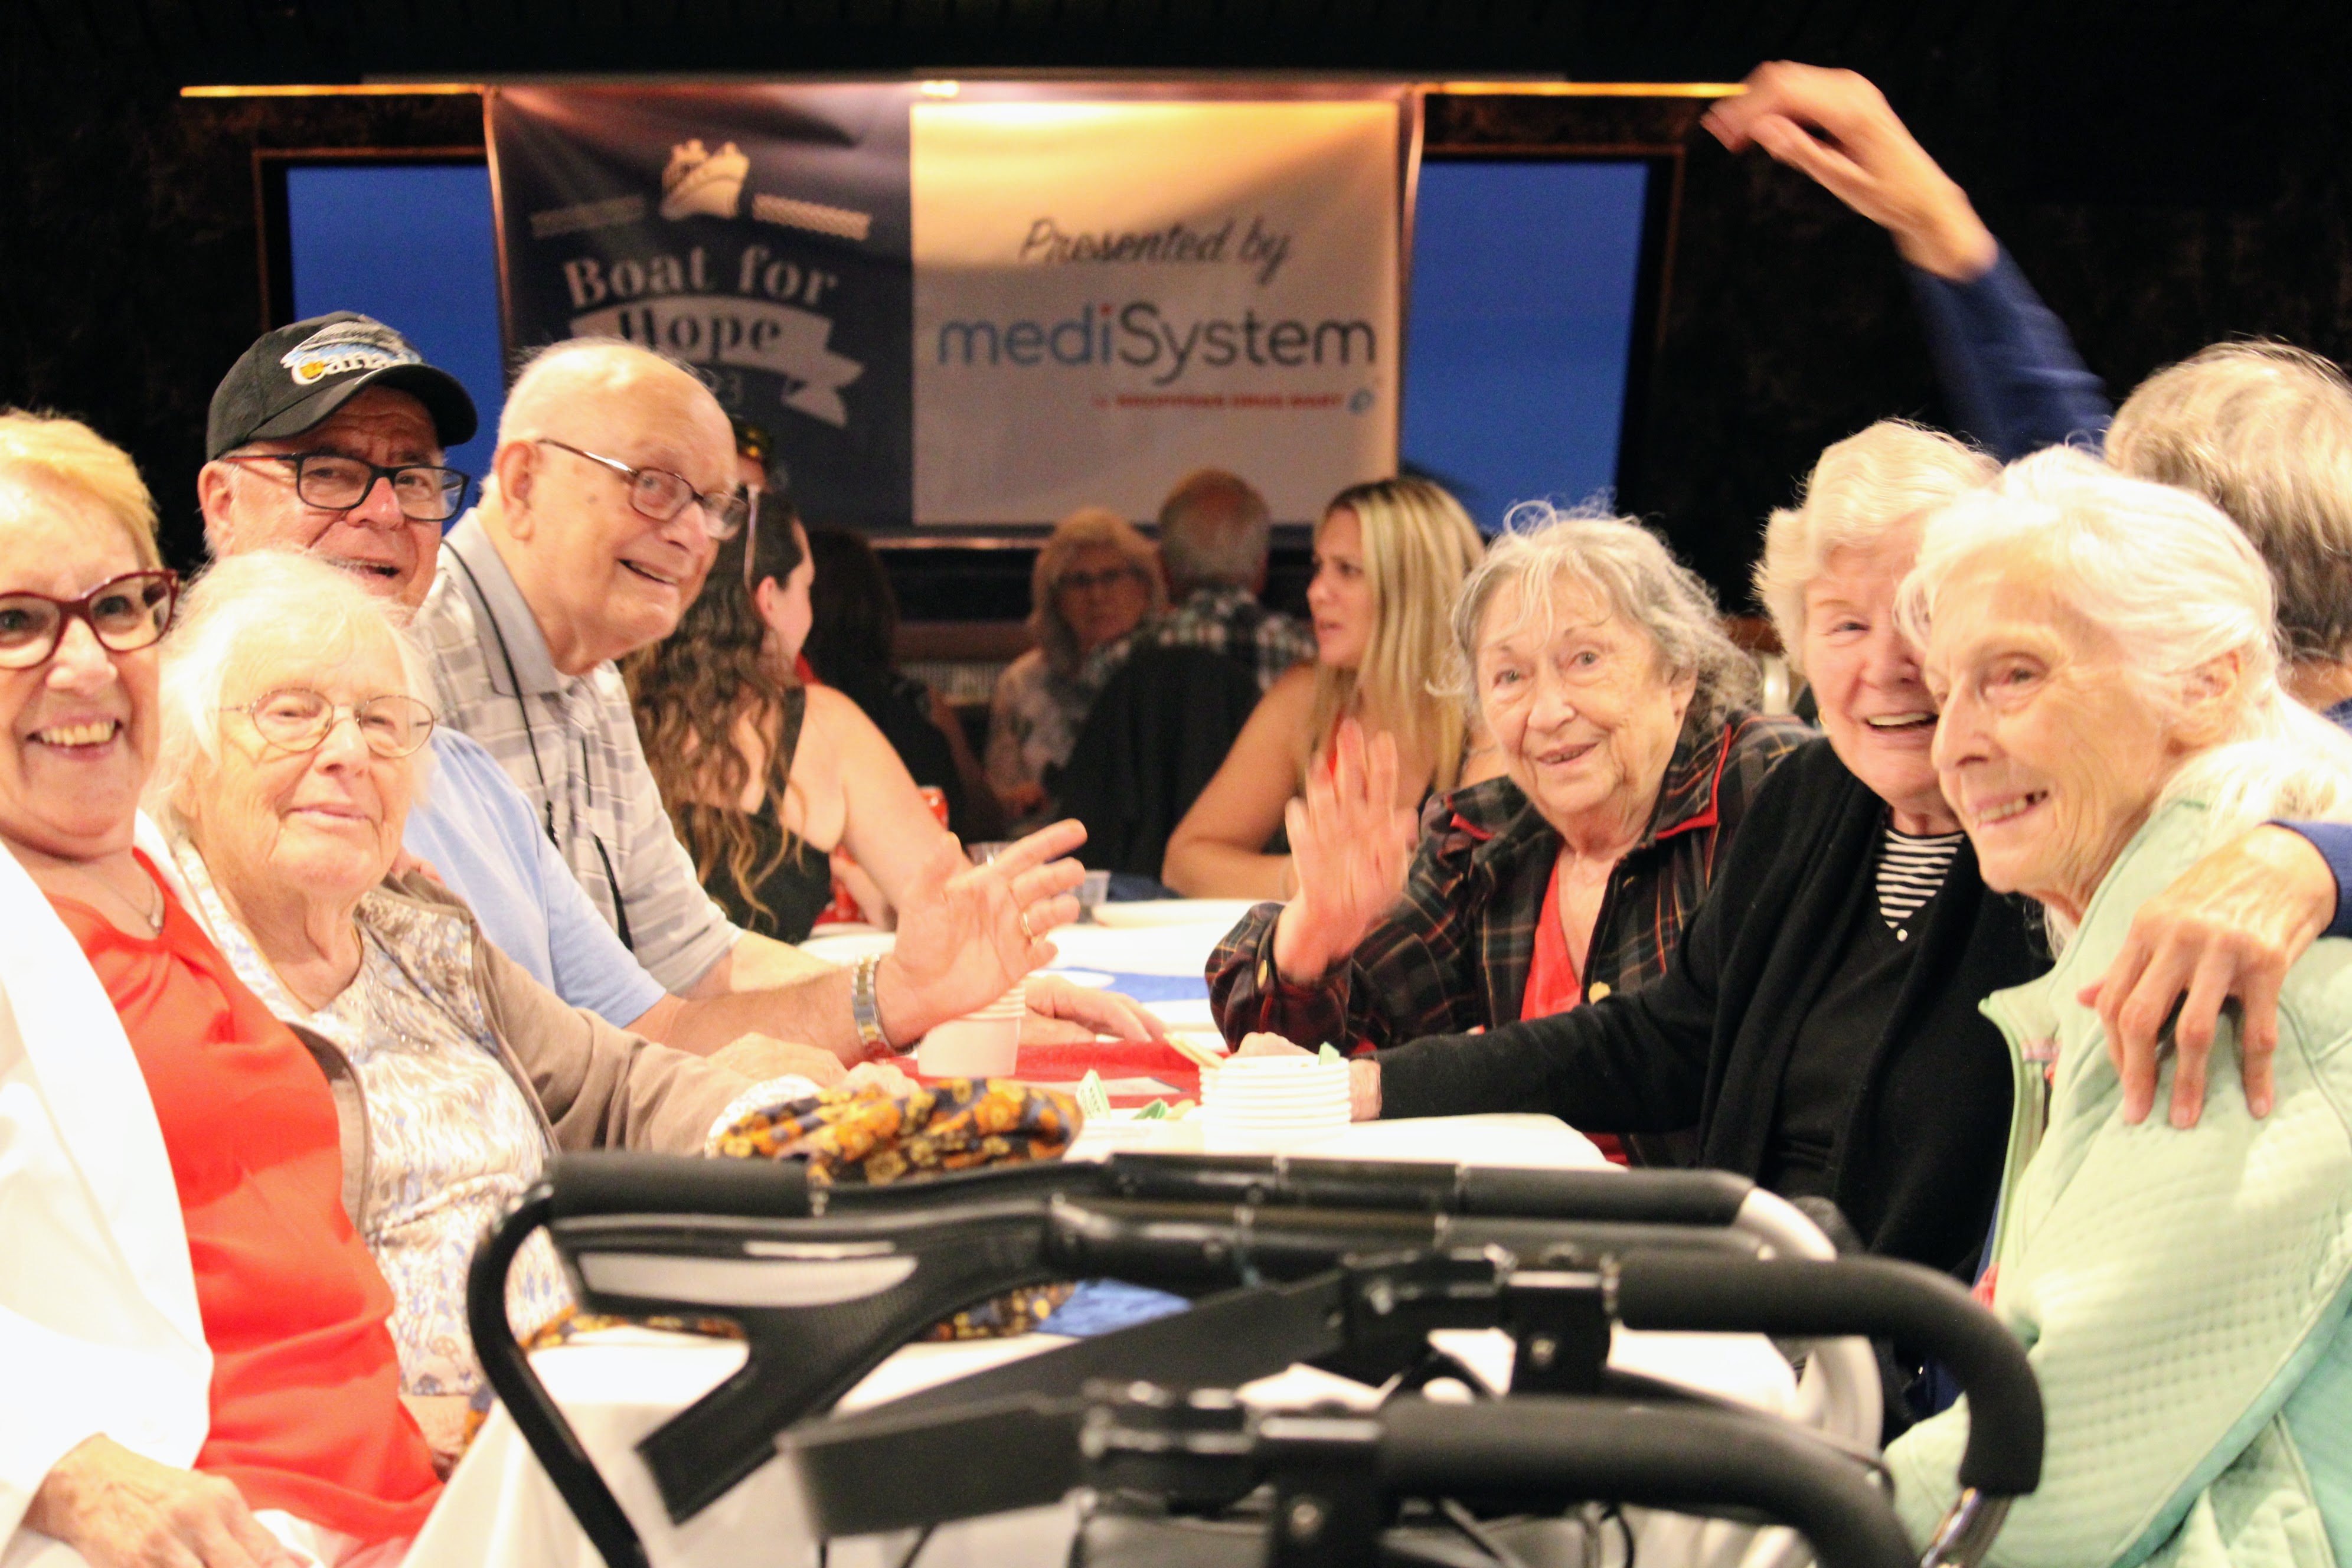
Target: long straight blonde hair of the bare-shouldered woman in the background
(1419,547)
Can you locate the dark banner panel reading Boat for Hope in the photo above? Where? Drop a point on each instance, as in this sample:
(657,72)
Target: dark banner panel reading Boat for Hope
(759,234)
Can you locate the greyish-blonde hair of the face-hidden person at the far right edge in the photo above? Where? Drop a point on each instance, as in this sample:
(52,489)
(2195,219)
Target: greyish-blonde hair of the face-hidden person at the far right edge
(2264,431)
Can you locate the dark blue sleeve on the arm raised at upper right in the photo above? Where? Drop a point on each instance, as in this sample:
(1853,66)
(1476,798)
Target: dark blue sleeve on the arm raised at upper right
(2007,363)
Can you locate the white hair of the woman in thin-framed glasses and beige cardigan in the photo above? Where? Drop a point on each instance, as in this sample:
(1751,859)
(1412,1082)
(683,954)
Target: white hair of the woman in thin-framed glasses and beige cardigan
(218,617)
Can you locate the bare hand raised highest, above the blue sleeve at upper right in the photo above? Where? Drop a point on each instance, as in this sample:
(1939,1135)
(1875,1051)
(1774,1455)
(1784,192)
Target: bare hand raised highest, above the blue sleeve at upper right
(1838,128)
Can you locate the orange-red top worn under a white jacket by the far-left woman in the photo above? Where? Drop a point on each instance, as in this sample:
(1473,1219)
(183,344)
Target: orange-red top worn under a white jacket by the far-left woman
(305,1379)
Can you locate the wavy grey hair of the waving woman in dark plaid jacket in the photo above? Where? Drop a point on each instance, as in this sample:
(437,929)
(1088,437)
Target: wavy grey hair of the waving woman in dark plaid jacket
(1633,575)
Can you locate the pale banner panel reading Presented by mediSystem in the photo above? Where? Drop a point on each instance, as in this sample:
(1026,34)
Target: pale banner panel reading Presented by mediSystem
(1111,295)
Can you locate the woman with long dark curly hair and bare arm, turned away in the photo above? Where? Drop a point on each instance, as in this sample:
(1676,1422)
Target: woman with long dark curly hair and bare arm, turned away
(763,775)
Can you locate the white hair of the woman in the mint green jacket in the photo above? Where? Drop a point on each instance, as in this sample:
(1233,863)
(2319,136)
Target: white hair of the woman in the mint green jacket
(2177,587)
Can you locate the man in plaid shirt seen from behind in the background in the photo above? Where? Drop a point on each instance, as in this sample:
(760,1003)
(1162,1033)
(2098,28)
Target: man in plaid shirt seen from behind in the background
(1212,540)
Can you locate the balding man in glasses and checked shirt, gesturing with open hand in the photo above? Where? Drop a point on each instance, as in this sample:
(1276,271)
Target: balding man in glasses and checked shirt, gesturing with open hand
(613,483)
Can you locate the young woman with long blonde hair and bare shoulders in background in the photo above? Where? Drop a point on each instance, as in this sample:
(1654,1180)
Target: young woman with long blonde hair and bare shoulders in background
(1389,561)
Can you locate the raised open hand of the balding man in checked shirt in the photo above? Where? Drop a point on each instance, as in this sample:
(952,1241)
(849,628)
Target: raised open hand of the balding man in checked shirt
(970,932)
